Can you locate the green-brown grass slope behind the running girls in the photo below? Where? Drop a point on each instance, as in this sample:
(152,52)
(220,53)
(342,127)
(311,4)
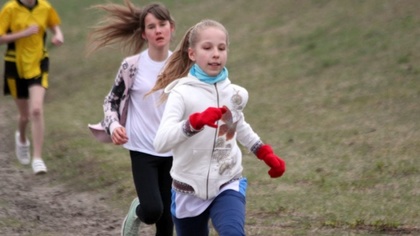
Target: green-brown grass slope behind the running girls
(334,87)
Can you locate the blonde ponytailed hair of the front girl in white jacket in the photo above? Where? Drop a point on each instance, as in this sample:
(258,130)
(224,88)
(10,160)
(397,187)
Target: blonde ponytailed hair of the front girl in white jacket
(179,63)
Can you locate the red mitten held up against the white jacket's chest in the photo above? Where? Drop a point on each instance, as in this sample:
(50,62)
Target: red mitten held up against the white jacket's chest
(208,117)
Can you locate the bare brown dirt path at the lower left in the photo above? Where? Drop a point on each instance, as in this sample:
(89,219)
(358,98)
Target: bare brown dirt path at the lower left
(30,205)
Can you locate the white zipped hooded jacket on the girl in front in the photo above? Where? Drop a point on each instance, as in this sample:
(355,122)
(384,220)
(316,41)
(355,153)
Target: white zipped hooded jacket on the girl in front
(210,158)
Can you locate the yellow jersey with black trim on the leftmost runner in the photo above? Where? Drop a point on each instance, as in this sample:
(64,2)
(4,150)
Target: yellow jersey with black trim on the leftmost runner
(27,52)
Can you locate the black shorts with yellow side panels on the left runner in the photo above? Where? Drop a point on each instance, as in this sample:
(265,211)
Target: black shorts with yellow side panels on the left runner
(19,87)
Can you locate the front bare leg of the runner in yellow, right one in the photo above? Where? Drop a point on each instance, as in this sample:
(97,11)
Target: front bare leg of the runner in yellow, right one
(36,110)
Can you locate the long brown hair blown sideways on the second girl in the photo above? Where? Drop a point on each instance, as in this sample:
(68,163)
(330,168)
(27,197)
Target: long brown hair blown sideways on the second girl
(124,24)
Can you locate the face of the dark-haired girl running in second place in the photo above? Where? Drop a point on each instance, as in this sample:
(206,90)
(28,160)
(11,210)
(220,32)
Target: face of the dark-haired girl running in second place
(157,32)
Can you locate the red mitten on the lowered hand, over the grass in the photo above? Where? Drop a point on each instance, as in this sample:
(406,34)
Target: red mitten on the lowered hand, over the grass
(278,166)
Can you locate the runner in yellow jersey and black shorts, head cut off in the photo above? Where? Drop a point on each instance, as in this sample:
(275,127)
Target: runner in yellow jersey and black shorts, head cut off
(23,27)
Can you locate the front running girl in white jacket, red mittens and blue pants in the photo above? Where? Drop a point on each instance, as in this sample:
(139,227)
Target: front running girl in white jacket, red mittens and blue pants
(201,124)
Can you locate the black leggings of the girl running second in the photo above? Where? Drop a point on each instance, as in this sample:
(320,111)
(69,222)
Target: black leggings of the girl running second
(153,185)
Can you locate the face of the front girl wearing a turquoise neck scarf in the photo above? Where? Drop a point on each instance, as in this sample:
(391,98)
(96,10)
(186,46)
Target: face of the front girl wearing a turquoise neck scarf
(210,51)
